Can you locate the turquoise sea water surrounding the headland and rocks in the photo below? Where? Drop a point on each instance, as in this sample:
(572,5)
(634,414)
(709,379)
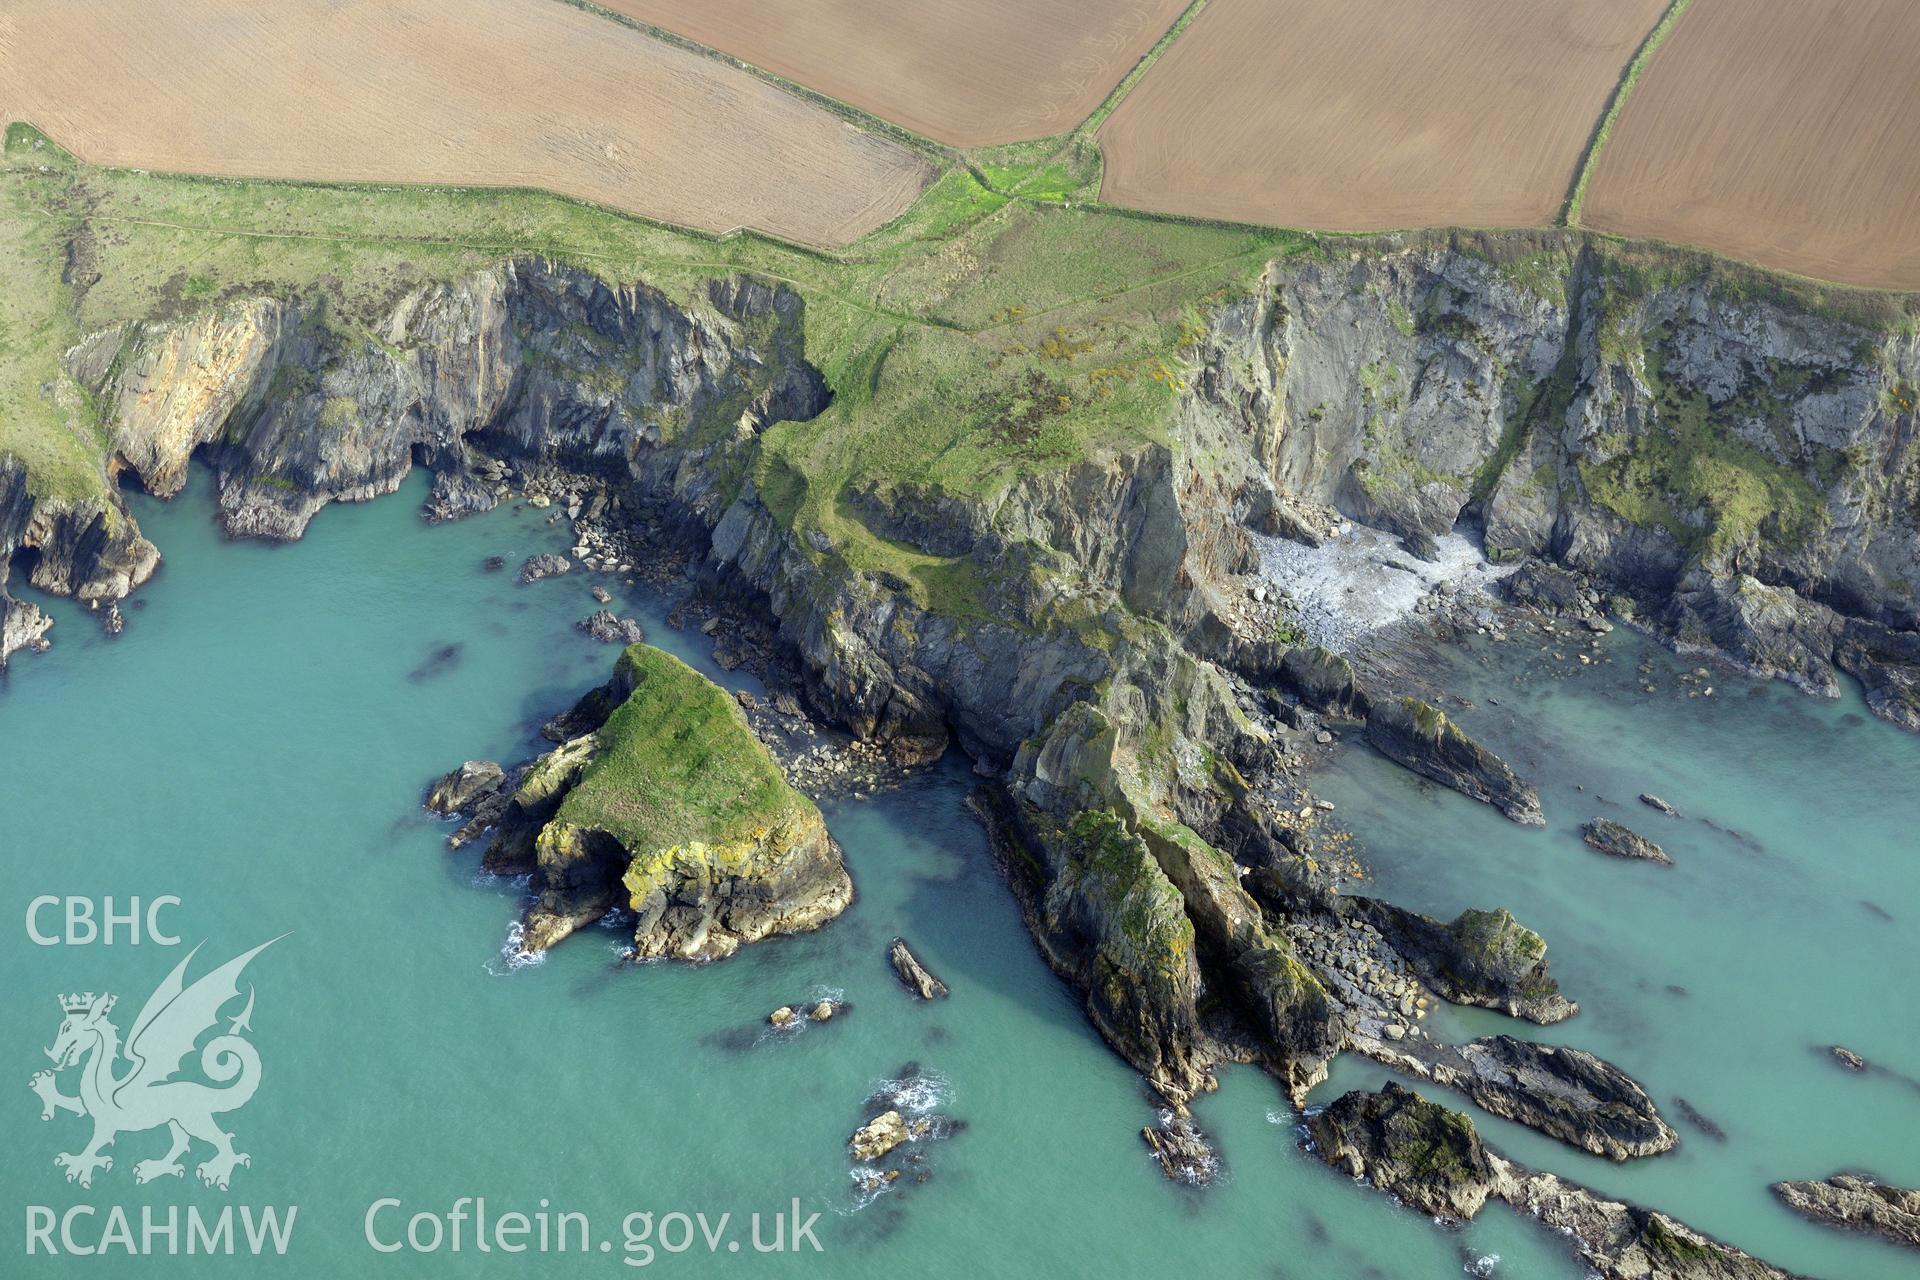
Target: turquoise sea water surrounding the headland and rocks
(256,746)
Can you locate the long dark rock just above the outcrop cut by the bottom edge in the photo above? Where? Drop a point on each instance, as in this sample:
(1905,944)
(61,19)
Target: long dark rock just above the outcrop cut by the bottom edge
(1564,1093)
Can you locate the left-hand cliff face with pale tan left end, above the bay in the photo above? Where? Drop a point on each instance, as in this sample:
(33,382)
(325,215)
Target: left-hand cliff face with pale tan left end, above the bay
(529,362)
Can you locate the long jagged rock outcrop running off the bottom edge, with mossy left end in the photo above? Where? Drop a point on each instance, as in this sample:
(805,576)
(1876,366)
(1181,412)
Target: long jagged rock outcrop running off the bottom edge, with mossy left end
(1435,1162)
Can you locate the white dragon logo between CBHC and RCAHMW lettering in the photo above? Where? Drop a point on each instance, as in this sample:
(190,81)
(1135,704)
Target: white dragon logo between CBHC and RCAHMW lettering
(147,1095)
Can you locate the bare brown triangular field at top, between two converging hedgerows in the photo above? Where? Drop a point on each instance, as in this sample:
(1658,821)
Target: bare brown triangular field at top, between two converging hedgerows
(971,74)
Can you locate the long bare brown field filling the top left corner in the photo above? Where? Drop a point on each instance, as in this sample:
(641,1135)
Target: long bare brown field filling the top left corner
(487,93)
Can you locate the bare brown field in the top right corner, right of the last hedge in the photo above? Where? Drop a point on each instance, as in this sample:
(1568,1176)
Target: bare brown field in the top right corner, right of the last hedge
(1779,131)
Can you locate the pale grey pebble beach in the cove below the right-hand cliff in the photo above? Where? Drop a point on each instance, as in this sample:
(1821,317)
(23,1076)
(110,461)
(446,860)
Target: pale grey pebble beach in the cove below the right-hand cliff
(1364,581)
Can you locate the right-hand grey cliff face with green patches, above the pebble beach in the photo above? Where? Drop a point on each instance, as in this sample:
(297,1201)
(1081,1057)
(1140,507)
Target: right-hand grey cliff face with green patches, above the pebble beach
(1737,458)
